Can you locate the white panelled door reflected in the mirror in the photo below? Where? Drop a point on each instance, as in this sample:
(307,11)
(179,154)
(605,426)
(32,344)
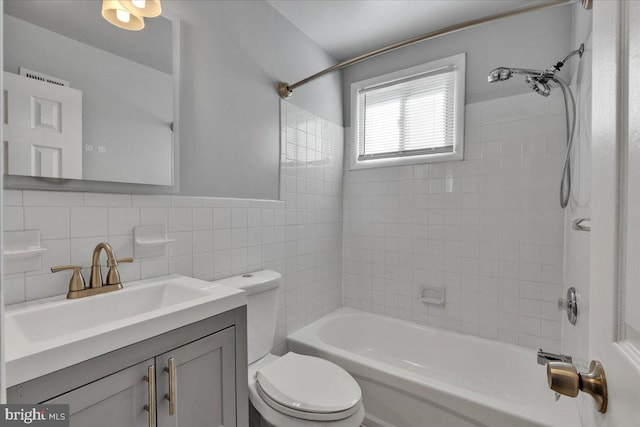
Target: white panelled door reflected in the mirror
(42,128)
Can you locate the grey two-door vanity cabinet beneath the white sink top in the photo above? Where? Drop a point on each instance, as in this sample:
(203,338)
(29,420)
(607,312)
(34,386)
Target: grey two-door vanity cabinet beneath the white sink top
(198,378)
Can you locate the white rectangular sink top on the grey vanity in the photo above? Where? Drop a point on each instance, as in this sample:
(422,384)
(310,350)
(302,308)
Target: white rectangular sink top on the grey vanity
(50,334)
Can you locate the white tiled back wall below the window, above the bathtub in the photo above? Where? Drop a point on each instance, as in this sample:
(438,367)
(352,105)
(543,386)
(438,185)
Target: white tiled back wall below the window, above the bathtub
(488,228)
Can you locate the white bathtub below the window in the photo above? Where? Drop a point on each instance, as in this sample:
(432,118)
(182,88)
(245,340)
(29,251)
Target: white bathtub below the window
(417,376)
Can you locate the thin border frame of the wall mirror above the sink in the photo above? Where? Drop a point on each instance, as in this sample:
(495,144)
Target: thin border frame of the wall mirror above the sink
(19,182)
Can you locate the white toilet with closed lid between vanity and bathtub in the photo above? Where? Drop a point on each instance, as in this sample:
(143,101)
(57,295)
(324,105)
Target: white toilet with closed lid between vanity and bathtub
(293,390)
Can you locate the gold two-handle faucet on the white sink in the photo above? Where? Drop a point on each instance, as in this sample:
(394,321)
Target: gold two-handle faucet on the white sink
(77,288)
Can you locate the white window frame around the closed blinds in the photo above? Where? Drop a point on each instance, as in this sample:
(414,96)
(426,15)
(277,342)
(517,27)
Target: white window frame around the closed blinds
(458,63)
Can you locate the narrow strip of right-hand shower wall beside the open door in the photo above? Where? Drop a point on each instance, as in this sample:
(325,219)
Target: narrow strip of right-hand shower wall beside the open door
(577,252)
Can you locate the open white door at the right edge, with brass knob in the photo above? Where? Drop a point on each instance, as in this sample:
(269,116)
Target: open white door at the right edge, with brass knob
(614,329)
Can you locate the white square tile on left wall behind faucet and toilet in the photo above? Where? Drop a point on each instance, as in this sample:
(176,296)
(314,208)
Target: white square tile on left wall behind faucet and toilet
(300,236)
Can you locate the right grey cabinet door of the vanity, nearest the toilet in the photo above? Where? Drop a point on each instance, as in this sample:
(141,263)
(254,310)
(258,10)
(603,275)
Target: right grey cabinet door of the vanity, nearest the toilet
(203,380)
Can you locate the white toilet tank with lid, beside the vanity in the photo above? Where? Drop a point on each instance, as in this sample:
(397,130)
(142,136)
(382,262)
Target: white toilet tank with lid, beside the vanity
(262,289)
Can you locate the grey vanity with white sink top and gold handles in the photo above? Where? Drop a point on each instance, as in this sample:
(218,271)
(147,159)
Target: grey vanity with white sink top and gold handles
(168,351)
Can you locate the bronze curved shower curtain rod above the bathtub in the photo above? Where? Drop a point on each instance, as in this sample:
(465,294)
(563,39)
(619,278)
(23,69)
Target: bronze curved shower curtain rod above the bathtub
(285,90)
